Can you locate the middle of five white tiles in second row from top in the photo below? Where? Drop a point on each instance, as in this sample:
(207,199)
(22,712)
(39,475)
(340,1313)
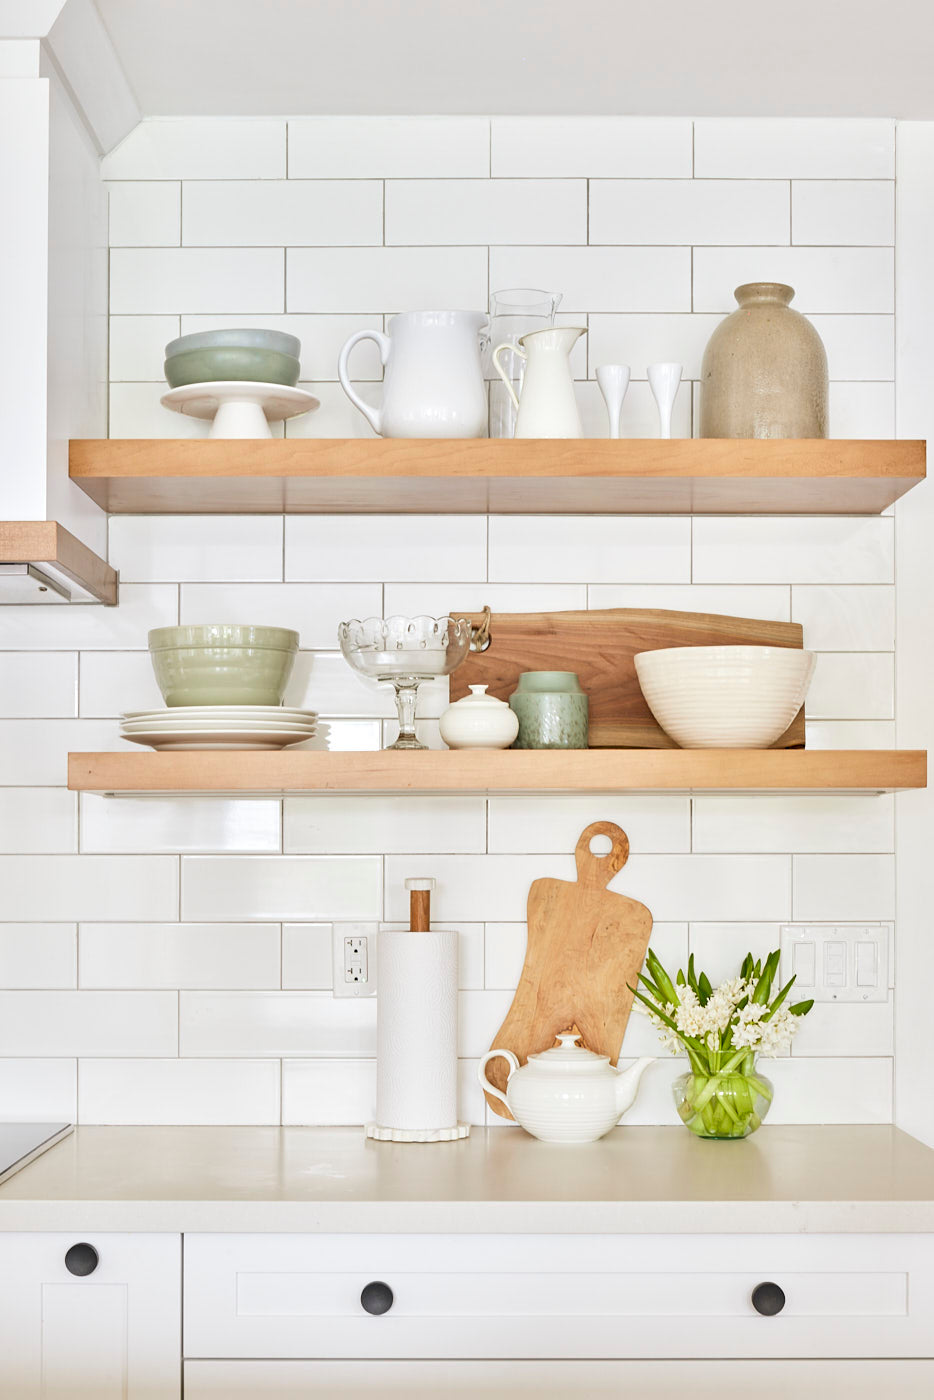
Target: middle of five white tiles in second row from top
(438,212)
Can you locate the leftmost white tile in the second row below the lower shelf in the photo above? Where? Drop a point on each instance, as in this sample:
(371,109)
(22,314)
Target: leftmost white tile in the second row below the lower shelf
(58,888)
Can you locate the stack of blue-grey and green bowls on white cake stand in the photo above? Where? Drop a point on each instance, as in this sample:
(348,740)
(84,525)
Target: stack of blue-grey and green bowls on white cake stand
(212,356)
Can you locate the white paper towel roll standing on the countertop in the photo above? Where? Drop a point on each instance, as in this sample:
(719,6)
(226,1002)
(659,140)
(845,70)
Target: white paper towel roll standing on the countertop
(418,1030)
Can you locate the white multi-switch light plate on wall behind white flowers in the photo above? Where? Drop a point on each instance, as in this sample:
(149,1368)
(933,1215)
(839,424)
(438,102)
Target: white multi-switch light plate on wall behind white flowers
(837,962)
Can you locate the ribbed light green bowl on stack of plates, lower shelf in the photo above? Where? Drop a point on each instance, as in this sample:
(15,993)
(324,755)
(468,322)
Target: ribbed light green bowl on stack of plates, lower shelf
(223,664)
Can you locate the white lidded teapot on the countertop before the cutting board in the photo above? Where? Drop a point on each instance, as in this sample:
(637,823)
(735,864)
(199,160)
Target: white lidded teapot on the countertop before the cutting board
(566,1094)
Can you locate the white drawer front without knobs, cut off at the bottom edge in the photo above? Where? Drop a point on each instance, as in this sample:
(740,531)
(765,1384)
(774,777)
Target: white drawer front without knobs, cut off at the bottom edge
(558,1380)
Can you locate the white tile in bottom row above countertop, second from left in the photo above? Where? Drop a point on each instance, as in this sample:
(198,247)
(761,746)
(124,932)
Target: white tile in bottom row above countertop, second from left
(240,1093)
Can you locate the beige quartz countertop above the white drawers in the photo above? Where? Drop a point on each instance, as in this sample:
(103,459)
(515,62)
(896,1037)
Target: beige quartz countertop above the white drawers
(635,1181)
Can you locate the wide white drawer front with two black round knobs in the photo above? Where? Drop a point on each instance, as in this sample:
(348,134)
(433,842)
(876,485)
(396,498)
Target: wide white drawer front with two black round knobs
(572,1296)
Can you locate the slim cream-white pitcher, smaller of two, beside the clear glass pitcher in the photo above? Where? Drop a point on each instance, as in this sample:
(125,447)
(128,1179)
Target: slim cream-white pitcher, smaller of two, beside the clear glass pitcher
(547,407)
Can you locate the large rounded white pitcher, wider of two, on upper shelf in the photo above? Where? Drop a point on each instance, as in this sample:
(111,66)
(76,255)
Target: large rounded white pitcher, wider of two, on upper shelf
(433,386)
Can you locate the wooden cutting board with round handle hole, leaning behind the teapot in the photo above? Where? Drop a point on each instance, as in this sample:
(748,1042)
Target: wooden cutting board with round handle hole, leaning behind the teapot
(585,946)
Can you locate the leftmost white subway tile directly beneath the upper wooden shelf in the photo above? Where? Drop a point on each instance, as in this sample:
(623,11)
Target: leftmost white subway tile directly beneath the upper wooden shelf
(197,548)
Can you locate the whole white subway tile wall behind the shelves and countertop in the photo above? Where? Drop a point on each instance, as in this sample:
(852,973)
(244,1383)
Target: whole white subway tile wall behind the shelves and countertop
(166,961)
